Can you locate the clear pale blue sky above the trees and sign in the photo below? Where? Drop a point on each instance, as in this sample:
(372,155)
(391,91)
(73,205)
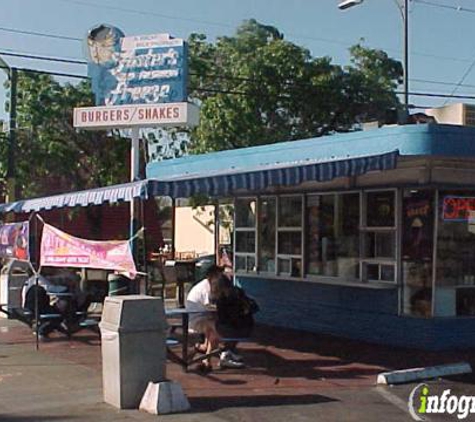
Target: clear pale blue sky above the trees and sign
(442,46)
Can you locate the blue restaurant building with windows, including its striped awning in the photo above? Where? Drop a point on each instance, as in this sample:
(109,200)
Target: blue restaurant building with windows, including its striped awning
(367,235)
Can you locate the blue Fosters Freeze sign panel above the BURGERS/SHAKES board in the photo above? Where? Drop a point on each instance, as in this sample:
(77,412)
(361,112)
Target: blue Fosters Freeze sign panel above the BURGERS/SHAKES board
(143,69)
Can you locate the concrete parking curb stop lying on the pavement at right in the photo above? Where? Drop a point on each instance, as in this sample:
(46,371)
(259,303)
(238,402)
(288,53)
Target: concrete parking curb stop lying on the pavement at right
(417,374)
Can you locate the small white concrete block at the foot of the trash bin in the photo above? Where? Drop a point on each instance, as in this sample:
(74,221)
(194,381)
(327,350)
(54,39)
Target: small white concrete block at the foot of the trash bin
(164,397)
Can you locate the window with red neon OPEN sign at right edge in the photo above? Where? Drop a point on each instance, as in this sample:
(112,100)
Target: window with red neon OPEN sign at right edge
(455,254)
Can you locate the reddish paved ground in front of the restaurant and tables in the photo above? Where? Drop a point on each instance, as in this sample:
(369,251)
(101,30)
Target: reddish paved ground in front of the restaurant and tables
(291,375)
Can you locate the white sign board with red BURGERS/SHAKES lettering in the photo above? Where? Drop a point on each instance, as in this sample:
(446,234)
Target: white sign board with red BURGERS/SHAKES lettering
(142,115)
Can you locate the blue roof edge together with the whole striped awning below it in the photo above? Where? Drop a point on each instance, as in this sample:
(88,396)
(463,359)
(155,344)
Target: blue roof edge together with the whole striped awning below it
(230,172)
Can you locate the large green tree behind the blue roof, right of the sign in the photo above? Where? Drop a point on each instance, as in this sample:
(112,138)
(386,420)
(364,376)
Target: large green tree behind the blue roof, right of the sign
(257,88)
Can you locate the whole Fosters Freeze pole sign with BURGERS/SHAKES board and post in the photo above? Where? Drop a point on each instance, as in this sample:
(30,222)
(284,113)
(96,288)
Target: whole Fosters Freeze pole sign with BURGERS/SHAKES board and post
(138,82)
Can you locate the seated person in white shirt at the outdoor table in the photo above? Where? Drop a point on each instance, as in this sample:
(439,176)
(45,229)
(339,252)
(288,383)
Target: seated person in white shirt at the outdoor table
(199,299)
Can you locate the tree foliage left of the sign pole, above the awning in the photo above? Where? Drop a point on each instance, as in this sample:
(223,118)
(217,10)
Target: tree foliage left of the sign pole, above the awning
(51,154)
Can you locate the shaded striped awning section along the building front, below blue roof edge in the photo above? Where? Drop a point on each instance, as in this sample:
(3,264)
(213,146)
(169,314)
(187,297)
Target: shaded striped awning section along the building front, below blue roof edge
(288,174)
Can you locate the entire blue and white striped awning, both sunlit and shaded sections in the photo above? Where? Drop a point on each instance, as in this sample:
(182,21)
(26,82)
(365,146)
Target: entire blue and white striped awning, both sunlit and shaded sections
(213,184)
